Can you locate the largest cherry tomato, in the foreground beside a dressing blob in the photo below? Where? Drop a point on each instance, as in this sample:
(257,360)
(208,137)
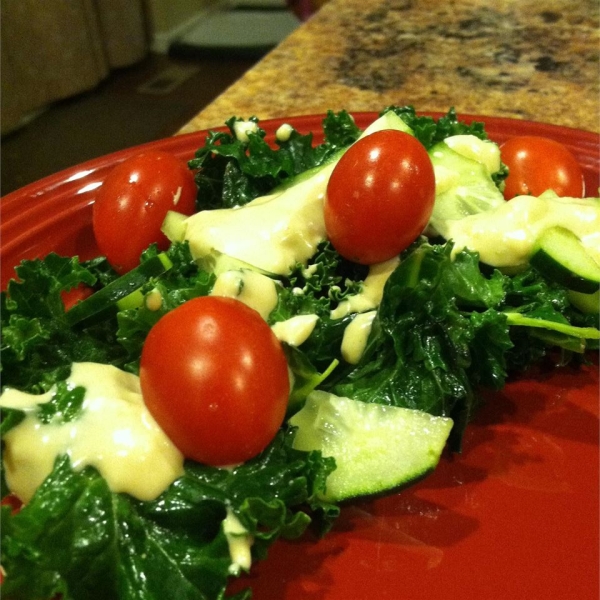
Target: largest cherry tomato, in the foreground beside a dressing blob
(215,378)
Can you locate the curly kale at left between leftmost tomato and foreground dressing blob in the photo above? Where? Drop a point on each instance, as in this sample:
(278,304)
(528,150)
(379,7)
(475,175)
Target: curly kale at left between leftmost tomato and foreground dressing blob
(38,346)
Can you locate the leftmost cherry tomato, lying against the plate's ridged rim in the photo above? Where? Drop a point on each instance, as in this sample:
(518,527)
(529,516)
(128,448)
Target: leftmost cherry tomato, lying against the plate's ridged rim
(132,203)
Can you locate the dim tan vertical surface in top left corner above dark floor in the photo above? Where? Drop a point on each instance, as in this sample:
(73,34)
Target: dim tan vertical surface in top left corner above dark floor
(75,44)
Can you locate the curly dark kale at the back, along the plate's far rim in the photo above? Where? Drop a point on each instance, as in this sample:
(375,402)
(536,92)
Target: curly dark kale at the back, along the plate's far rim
(232,170)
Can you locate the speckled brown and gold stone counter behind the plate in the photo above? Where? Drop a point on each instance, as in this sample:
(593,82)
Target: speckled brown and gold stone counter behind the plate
(529,59)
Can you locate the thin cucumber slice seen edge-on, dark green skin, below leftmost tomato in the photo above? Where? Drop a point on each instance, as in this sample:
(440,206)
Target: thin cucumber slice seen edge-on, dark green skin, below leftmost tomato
(119,293)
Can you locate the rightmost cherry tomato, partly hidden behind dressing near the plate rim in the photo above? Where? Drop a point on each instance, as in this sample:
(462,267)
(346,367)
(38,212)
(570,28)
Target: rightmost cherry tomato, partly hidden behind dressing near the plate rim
(536,164)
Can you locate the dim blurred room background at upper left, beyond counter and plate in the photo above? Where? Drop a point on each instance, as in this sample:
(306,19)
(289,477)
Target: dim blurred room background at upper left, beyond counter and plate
(82,78)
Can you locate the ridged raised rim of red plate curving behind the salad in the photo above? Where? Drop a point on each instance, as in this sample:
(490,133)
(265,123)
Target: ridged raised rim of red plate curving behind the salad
(44,205)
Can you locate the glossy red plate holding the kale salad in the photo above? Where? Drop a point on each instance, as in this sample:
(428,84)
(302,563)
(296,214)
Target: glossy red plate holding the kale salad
(515,516)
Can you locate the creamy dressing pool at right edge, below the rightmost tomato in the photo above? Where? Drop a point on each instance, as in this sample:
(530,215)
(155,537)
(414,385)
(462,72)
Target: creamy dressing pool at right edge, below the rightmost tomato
(505,236)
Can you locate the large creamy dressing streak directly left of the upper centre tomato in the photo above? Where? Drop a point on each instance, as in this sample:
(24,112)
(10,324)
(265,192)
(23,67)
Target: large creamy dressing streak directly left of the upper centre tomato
(285,227)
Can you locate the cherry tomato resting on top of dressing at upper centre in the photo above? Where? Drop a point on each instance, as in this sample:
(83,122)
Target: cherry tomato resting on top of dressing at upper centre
(379,197)
